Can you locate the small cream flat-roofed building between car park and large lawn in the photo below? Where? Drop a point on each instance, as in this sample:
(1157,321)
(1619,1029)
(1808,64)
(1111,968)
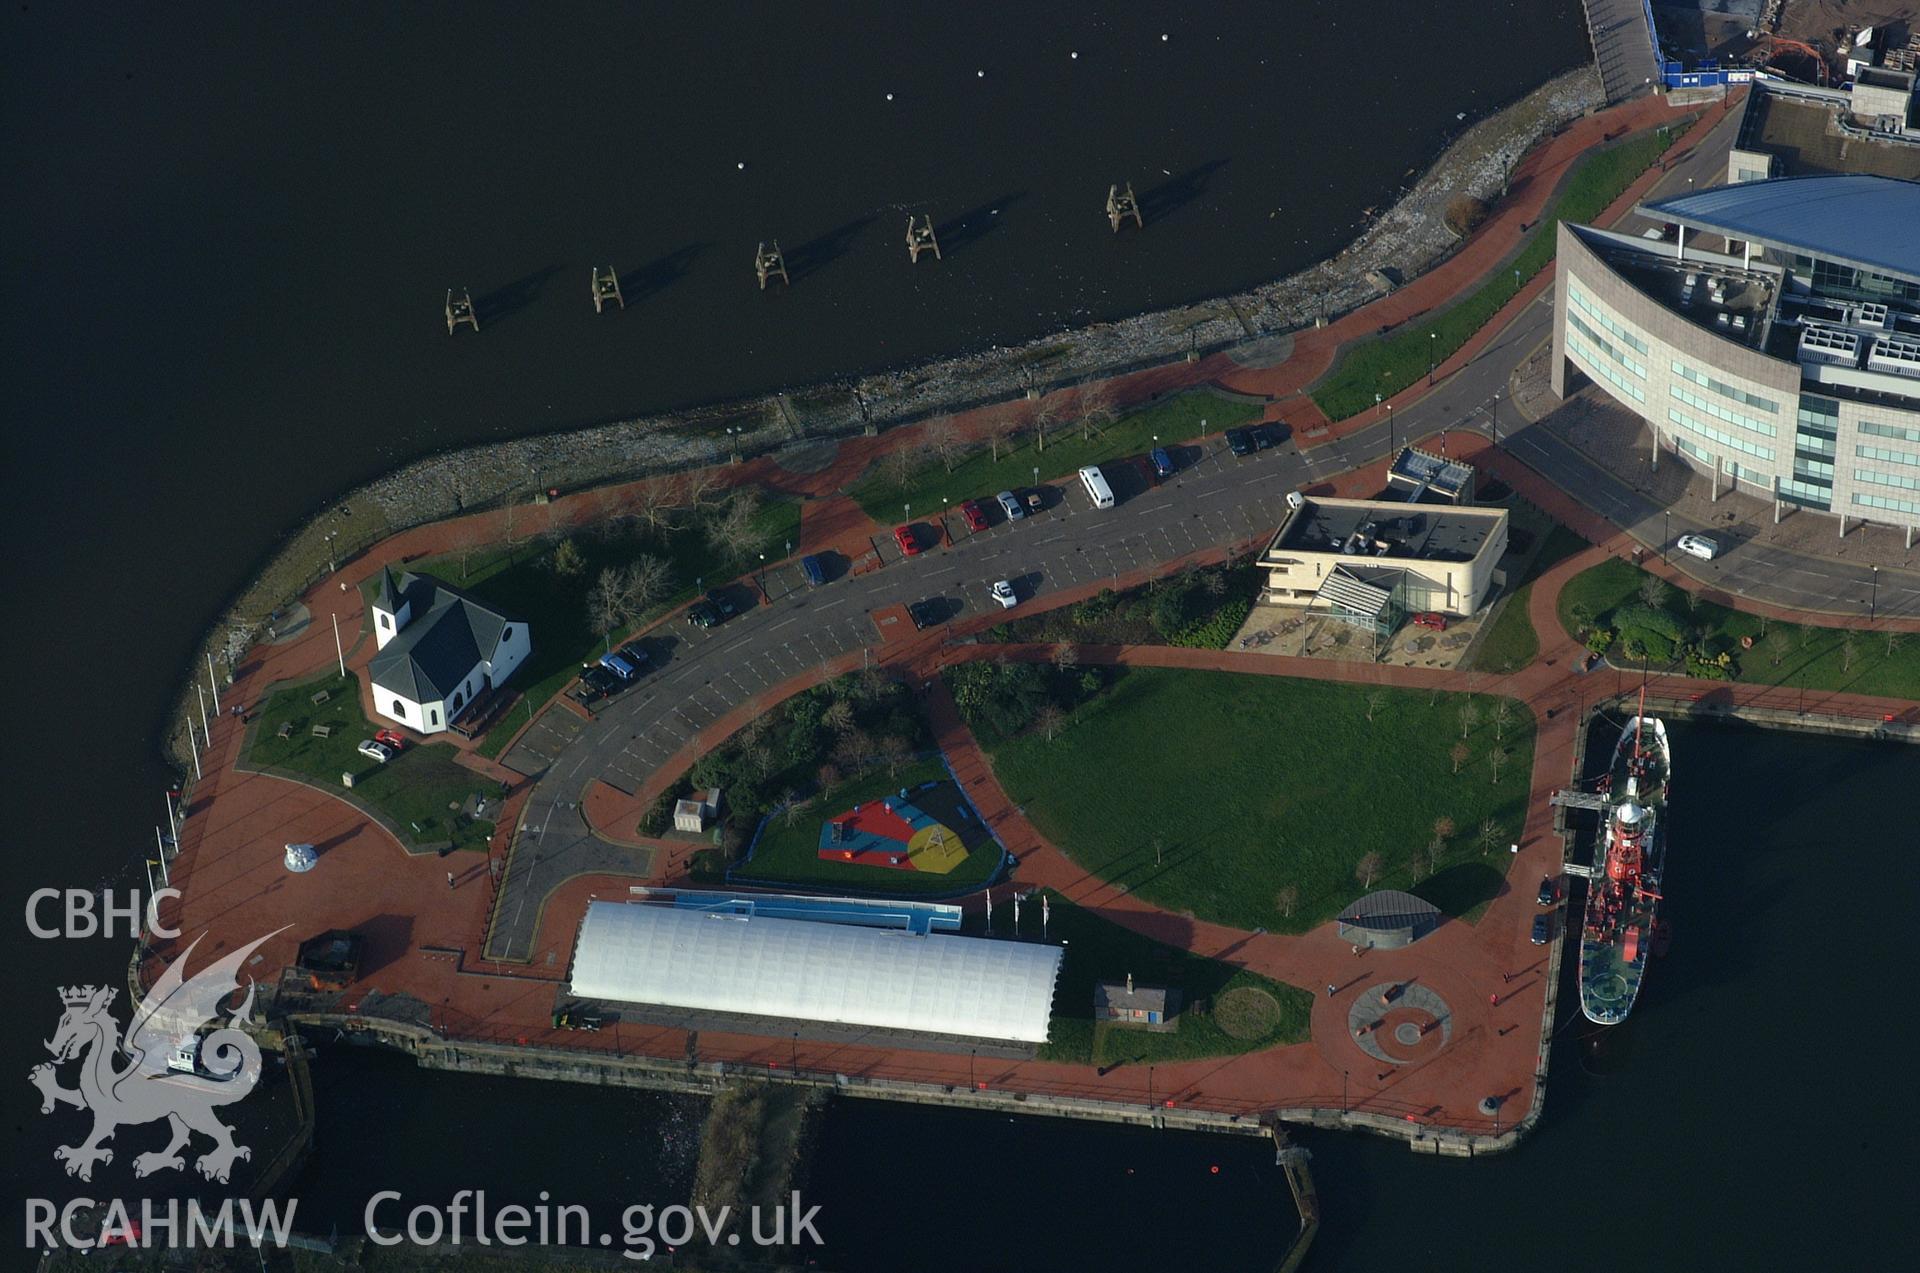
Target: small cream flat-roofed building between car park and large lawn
(1383,558)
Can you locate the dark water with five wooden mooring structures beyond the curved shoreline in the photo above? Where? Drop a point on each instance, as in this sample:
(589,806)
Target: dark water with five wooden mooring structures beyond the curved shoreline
(229,229)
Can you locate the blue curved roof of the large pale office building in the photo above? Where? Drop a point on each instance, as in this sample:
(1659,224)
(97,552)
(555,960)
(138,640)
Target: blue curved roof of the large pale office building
(1854,218)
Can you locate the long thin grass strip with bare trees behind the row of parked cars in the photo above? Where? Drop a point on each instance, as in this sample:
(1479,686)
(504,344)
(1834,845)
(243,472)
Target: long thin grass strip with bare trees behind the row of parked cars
(932,487)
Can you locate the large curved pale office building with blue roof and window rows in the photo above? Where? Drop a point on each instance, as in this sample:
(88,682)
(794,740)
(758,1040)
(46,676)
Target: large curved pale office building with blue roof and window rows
(1775,345)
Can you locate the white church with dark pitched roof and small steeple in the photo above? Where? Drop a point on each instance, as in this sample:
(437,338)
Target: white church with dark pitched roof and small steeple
(439,652)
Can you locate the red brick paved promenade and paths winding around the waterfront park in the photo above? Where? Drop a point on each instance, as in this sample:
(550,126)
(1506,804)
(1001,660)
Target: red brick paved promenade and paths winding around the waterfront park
(418,926)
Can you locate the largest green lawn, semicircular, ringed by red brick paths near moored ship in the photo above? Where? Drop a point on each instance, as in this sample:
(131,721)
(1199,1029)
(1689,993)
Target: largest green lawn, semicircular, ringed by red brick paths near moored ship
(1212,792)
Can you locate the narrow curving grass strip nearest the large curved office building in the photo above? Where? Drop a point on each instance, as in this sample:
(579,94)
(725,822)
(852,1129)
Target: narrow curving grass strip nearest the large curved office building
(1401,360)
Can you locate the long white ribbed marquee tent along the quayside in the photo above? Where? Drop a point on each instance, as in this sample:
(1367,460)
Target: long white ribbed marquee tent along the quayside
(815,973)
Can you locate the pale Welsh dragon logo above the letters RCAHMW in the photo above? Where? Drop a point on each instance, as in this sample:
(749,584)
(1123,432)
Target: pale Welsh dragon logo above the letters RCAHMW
(153,1088)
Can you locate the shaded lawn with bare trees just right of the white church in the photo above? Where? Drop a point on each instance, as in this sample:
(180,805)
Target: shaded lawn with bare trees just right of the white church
(521,583)
